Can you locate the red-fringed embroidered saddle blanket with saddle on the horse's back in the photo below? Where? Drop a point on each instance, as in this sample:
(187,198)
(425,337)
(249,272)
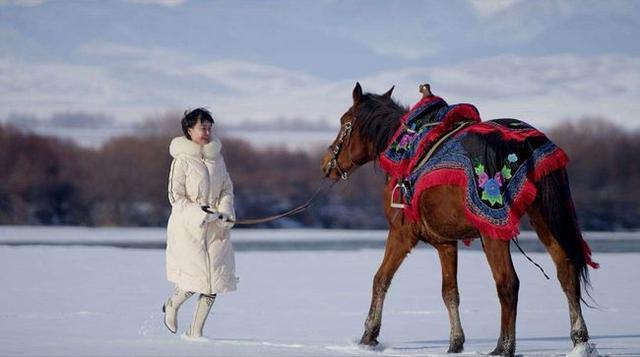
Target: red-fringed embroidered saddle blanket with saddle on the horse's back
(497,162)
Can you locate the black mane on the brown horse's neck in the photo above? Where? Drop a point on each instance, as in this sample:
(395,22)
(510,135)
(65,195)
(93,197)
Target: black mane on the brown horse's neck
(377,119)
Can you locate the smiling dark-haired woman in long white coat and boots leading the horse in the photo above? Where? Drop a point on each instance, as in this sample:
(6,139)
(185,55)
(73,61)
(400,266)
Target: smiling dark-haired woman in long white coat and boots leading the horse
(199,255)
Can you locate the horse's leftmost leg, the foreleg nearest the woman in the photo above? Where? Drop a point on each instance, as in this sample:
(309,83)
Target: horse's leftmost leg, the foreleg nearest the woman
(397,248)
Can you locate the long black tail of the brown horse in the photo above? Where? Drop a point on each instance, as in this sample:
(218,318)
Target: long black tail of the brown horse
(558,211)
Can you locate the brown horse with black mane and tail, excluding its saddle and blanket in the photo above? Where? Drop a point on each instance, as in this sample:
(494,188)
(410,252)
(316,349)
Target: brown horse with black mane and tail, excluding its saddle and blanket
(366,129)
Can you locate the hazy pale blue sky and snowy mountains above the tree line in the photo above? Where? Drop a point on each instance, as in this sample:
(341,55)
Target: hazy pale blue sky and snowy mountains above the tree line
(540,61)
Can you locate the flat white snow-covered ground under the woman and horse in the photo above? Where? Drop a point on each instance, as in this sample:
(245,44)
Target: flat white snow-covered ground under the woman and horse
(97,301)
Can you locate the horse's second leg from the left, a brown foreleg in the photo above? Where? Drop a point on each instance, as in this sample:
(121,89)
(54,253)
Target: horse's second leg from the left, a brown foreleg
(448,253)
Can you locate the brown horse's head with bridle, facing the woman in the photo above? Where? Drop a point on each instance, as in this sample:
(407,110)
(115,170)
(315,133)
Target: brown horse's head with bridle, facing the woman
(365,130)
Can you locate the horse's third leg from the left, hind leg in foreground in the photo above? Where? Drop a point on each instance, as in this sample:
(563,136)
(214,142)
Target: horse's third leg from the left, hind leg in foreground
(507,284)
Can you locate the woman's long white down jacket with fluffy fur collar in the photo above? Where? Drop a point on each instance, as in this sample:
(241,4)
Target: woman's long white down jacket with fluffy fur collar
(199,255)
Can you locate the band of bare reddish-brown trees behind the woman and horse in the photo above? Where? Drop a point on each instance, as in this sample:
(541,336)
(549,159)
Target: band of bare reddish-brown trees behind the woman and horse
(49,181)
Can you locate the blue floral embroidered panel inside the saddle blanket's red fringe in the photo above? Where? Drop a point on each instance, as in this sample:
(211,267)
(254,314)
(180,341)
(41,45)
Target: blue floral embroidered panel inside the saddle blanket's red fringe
(496,169)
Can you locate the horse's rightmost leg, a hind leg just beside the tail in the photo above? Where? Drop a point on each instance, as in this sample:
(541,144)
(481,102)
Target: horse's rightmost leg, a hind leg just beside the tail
(566,272)
